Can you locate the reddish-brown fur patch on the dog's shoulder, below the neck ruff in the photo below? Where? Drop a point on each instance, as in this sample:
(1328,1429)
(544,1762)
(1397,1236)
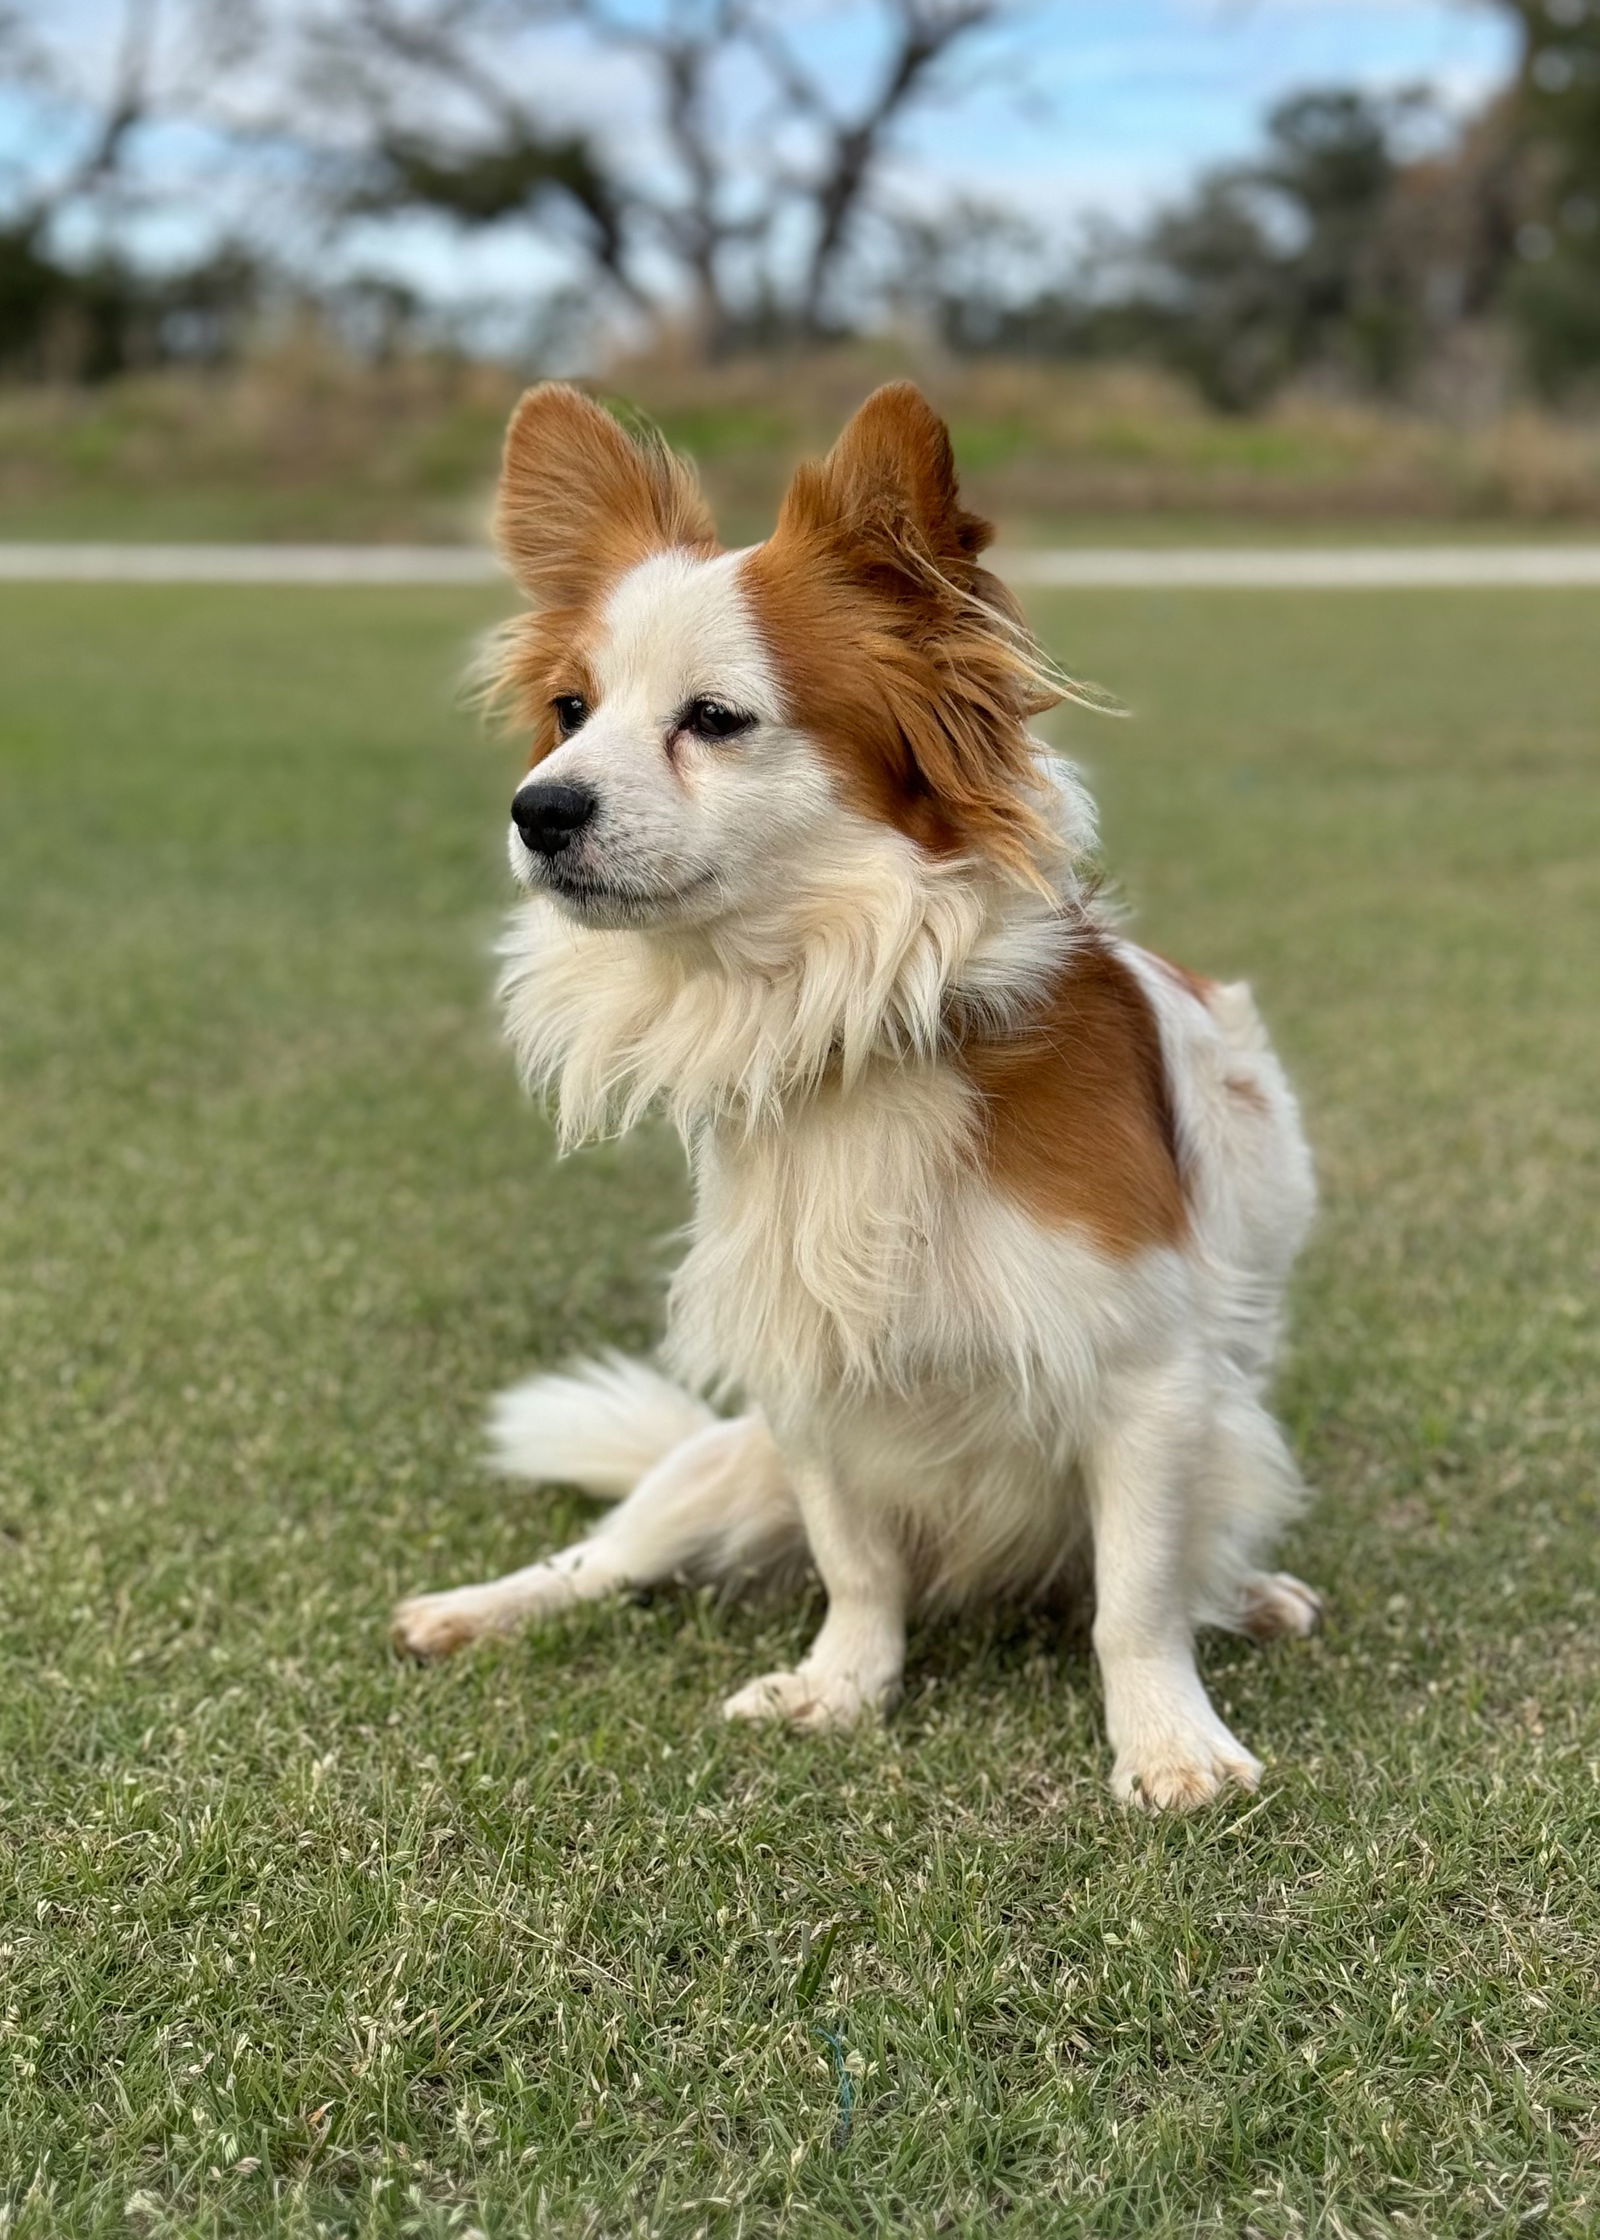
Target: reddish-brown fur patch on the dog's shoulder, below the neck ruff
(1079,1119)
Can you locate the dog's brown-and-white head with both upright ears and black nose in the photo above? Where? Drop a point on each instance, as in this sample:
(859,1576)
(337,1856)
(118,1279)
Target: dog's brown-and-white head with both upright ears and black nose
(714,727)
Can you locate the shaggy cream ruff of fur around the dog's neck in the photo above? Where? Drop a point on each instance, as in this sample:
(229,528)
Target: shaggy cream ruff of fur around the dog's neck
(884,955)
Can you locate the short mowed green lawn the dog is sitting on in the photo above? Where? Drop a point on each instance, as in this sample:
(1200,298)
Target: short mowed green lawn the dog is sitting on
(297,1939)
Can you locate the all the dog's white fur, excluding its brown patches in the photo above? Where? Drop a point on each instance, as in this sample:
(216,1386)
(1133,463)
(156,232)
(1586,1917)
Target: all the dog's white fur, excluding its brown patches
(945,1399)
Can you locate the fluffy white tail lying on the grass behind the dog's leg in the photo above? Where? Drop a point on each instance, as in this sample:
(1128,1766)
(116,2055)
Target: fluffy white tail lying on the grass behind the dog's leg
(602,1426)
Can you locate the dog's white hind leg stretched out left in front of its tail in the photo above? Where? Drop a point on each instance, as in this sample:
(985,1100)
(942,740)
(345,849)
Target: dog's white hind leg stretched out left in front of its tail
(716,1506)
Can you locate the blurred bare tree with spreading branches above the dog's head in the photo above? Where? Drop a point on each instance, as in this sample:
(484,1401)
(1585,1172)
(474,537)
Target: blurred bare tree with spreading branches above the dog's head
(754,176)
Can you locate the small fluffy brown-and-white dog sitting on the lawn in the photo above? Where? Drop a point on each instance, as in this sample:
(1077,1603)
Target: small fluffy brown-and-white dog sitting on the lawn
(994,1211)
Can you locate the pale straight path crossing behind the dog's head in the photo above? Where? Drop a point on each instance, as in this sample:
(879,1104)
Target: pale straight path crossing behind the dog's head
(1245,568)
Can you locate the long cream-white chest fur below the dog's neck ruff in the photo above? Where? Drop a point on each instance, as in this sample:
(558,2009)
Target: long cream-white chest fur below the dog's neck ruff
(855,1256)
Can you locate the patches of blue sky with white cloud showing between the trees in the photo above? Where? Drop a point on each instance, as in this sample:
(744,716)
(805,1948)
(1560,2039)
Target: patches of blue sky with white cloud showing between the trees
(1090,106)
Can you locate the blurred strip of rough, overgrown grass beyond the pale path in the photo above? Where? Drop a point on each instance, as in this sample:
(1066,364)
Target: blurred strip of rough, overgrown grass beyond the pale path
(308,445)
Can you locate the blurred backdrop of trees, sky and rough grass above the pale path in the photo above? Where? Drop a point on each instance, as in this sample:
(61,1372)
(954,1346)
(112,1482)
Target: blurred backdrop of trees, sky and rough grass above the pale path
(275,268)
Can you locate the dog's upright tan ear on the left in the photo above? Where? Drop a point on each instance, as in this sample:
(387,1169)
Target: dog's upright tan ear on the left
(582,501)
